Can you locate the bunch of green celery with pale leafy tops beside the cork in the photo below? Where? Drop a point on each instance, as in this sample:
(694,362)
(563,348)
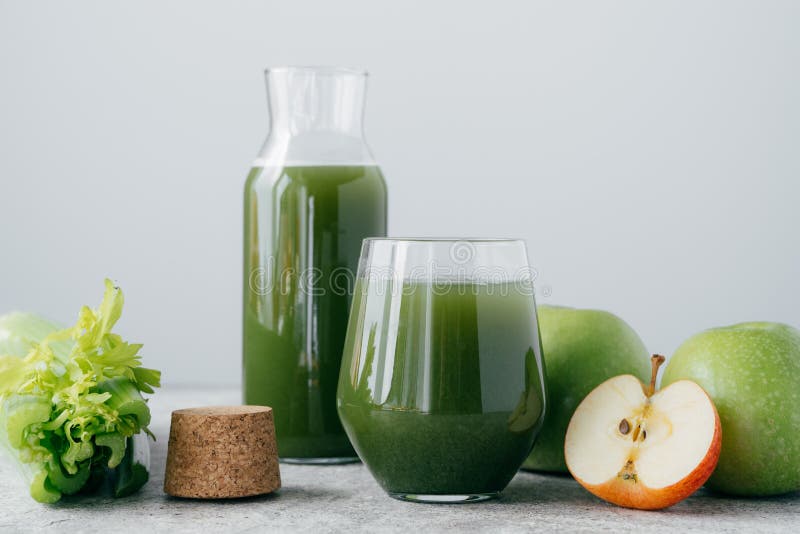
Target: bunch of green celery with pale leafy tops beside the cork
(71,408)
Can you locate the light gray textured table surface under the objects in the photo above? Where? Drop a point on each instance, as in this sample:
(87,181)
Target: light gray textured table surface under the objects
(346,498)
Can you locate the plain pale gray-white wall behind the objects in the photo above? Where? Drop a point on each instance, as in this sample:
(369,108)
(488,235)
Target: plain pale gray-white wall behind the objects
(647,151)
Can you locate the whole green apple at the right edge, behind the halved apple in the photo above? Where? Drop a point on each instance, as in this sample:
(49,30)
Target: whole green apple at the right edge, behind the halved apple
(752,373)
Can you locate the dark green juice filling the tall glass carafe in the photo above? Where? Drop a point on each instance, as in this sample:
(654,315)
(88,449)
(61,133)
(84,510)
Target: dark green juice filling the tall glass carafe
(303,231)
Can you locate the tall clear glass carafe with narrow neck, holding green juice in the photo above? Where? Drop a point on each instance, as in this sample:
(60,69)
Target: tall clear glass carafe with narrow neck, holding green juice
(313,194)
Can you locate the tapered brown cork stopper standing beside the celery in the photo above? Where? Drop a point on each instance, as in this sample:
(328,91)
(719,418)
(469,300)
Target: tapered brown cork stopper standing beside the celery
(222,452)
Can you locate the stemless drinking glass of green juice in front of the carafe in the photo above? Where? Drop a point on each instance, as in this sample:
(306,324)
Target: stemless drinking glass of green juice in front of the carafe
(441,389)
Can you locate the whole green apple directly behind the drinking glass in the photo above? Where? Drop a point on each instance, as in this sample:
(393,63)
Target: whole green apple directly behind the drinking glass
(582,349)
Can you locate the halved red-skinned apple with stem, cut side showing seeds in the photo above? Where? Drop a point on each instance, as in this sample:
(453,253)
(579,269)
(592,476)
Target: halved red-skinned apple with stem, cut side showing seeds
(639,448)
